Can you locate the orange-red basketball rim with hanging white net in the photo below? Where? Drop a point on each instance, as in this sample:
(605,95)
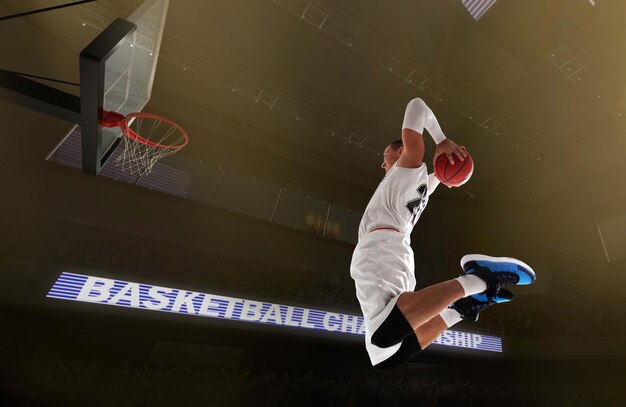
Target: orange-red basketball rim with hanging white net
(147,138)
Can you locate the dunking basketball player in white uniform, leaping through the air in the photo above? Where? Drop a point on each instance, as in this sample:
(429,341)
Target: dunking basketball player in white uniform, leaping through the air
(400,322)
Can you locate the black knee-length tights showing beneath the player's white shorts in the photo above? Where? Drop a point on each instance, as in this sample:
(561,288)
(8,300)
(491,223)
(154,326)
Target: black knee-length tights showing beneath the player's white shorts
(396,326)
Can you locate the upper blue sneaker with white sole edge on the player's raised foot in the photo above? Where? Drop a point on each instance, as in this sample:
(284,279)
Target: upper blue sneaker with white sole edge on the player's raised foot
(498,271)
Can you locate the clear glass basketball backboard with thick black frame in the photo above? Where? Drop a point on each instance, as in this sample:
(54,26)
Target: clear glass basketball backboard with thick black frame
(117,72)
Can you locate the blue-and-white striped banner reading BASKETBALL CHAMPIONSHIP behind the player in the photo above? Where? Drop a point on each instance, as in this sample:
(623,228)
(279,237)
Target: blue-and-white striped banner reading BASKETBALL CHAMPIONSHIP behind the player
(99,290)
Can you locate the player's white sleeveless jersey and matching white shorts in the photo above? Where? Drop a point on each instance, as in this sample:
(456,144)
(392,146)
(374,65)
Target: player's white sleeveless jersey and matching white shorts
(382,264)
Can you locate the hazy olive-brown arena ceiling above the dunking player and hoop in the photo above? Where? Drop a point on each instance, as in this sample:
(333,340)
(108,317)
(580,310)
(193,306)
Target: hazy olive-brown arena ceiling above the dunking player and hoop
(534,90)
